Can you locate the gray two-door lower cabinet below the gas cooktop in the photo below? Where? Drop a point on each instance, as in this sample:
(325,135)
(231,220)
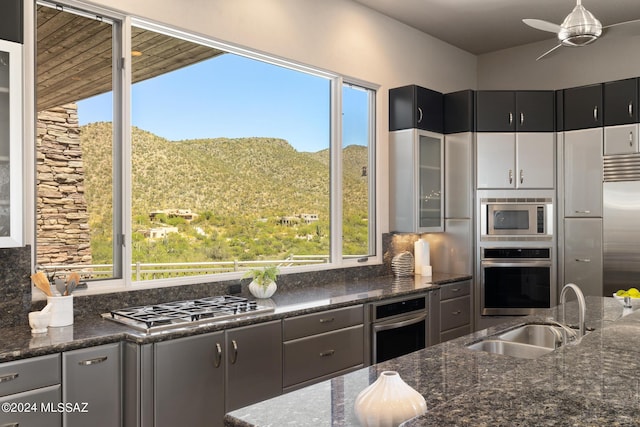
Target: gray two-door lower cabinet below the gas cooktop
(198,379)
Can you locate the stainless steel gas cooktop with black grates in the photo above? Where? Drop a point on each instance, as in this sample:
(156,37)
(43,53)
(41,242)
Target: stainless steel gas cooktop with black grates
(179,314)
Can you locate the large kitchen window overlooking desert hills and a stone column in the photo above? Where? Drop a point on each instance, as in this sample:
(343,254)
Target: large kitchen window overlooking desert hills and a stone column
(193,158)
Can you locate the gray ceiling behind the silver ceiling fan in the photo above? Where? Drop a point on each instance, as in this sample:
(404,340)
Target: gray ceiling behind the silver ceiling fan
(482,26)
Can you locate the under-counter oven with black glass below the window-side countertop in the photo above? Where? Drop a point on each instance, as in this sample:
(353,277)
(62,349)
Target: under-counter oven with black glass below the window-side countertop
(398,327)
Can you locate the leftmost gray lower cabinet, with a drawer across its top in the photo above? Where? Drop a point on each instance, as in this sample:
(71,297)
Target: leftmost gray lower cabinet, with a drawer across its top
(30,389)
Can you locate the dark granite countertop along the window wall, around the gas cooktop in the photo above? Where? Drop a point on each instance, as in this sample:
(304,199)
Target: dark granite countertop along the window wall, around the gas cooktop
(87,331)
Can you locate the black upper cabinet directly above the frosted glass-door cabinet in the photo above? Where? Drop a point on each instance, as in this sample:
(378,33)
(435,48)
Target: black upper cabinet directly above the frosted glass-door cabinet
(415,107)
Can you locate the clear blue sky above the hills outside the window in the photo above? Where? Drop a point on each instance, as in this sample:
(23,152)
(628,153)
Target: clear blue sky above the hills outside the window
(233,96)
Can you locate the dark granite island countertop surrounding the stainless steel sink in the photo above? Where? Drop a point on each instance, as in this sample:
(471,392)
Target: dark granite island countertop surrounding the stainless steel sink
(593,383)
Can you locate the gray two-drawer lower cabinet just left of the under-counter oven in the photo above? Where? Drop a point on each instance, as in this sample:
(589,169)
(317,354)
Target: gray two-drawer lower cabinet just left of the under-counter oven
(320,345)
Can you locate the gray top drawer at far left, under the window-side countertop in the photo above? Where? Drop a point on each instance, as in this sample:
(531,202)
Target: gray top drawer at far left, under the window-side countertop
(28,374)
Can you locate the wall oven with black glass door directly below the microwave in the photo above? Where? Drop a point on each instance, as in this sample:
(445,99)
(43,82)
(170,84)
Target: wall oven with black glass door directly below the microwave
(516,281)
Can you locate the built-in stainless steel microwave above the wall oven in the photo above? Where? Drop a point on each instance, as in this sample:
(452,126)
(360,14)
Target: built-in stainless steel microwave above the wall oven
(517,217)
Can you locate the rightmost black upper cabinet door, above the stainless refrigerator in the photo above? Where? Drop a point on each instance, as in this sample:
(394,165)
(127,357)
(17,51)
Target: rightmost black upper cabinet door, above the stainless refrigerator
(621,102)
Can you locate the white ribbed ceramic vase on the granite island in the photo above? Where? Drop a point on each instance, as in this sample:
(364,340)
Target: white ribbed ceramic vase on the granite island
(388,402)
